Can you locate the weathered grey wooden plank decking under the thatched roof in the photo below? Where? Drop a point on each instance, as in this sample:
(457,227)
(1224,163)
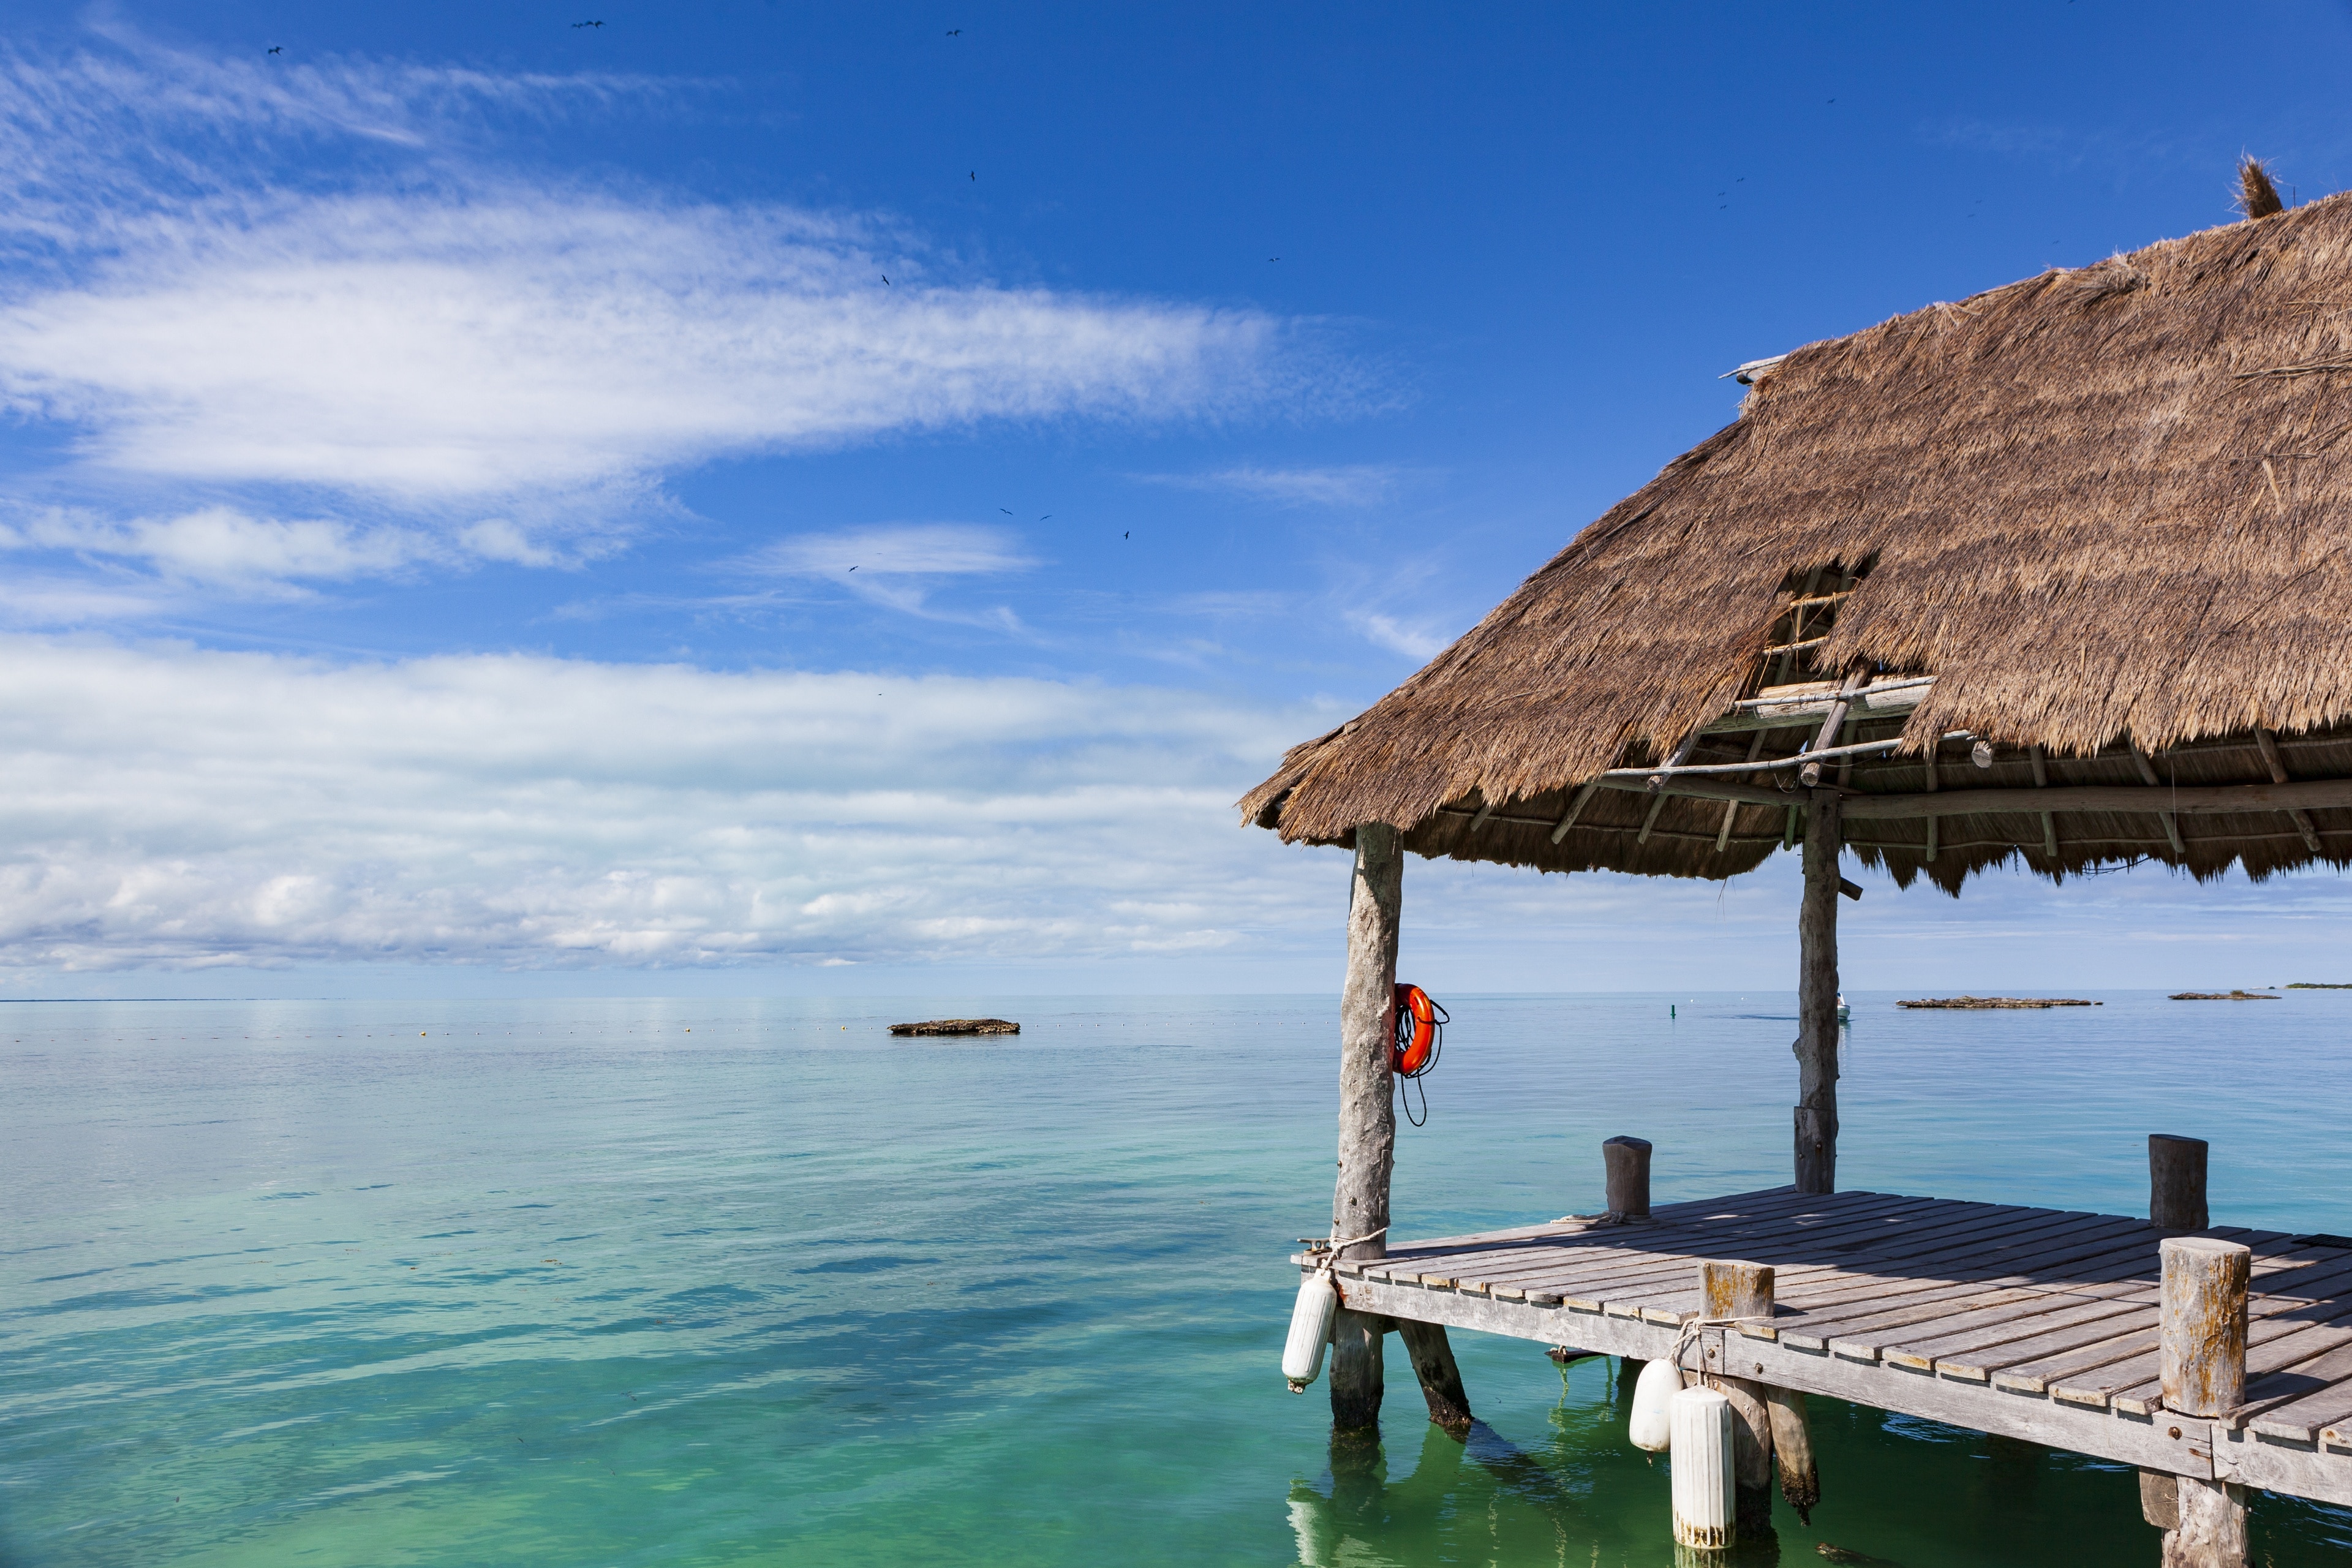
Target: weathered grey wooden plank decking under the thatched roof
(2026,1322)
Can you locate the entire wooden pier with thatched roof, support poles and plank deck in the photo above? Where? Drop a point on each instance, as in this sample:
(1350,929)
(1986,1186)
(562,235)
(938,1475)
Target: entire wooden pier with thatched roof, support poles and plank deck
(1902,605)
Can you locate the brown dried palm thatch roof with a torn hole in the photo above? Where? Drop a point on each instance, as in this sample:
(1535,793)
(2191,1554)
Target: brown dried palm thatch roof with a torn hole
(2109,511)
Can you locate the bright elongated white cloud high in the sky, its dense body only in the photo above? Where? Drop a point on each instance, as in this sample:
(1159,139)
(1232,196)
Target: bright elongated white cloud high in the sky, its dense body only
(441,351)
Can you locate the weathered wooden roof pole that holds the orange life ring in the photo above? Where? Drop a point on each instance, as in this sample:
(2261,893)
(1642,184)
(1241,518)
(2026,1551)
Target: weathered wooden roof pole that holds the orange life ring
(1368,1113)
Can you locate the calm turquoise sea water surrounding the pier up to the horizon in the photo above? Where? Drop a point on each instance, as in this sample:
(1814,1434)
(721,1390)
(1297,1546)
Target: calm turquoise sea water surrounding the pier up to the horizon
(730,1282)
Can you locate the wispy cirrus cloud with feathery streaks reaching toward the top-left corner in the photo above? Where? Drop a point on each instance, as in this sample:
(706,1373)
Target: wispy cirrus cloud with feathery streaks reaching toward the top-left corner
(420,342)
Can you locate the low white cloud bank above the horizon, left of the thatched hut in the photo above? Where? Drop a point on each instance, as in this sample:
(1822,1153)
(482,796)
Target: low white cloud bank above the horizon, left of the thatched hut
(178,808)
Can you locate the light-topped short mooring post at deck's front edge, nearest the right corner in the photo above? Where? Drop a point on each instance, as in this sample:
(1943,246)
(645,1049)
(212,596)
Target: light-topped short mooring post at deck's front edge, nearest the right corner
(2203,1365)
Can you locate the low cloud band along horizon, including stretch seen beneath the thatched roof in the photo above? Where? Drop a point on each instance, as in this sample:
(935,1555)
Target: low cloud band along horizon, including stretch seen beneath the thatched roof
(189,810)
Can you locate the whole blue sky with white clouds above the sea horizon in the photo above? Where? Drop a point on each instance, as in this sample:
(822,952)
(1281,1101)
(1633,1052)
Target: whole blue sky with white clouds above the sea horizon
(843,500)
